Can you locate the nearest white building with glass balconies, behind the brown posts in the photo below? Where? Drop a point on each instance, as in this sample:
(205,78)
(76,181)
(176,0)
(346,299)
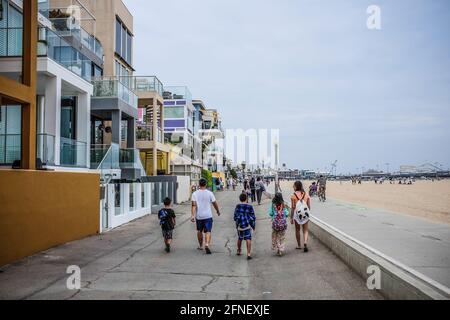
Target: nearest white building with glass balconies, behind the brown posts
(65,64)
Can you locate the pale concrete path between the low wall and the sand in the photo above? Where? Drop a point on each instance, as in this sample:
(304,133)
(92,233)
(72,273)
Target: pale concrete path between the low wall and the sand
(417,243)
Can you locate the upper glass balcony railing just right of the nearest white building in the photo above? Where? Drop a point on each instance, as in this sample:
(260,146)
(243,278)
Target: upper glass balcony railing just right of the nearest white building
(111,87)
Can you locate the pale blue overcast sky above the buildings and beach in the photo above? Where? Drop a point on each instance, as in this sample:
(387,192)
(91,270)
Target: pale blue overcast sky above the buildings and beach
(312,69)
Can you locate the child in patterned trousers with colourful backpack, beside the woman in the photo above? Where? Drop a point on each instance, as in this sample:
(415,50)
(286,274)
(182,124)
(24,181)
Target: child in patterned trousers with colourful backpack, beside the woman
(279,214)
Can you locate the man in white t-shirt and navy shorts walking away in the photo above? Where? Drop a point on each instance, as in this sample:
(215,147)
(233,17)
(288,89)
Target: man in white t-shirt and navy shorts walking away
(202,214)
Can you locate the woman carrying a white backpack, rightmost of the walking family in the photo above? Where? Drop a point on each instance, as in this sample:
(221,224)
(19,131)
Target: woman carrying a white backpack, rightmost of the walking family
(300,211)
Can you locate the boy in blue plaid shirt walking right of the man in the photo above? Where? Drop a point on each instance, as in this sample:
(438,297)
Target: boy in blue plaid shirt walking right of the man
(244,216)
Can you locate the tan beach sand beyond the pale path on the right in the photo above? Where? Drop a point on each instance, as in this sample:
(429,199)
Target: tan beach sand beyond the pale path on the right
(425,199)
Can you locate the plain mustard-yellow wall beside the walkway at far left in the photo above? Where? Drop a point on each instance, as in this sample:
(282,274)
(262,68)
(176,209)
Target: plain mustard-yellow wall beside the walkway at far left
(39,210)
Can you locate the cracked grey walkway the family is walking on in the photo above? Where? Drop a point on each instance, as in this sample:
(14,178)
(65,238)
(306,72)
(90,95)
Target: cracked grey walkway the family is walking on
(129,263)
